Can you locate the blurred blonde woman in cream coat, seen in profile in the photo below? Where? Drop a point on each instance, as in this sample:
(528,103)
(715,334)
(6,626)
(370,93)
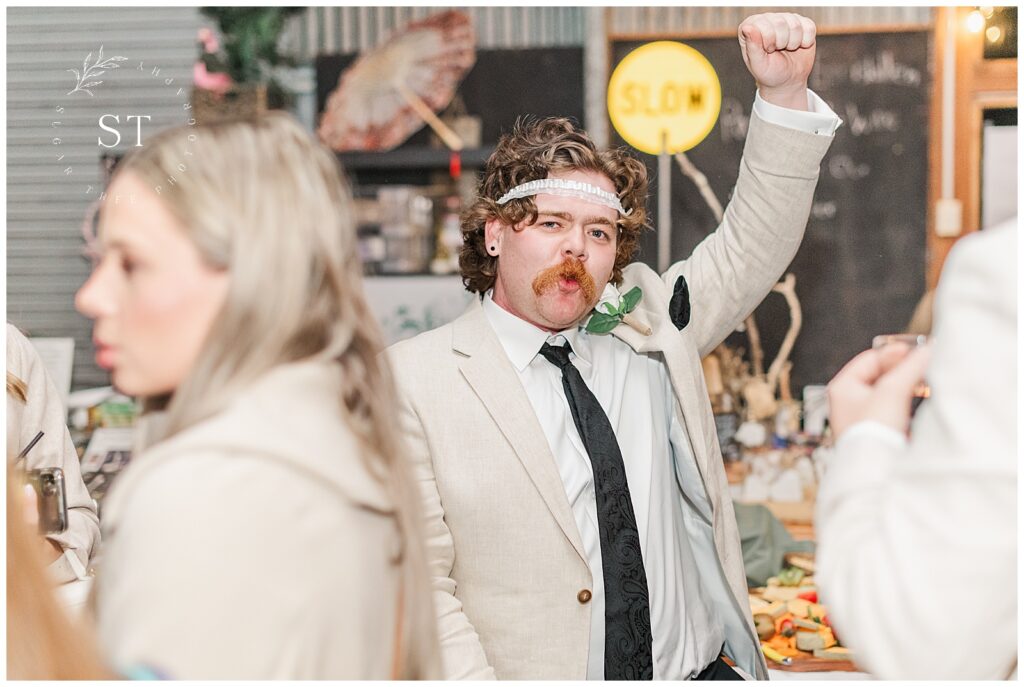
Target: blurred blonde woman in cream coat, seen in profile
(268,529)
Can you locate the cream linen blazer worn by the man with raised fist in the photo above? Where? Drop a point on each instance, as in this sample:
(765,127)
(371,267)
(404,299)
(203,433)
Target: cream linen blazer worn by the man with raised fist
(505,552)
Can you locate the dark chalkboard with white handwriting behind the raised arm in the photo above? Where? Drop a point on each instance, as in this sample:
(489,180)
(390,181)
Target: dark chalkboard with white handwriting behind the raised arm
(861,270)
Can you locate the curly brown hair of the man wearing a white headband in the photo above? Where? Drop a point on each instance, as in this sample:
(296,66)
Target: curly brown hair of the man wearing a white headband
(533,151)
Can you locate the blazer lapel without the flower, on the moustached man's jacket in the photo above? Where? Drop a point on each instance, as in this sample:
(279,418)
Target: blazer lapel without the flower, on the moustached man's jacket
(495,381)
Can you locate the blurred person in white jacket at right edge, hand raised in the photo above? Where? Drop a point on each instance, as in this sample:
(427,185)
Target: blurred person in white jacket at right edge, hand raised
(917,521)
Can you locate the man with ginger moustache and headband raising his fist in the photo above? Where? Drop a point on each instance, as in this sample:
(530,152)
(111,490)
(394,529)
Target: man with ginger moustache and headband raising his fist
(578,516)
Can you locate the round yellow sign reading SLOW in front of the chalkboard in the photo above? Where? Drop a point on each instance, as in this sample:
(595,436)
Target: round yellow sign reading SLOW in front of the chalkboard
(664,92)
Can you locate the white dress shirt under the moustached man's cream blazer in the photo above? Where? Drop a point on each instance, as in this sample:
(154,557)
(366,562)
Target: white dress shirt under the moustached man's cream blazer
(636,394)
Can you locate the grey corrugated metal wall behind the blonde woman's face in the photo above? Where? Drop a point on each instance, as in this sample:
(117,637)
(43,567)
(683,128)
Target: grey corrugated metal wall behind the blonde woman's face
(46,206)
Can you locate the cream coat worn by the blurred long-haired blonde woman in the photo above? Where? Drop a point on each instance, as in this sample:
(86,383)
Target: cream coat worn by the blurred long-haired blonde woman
(253,545)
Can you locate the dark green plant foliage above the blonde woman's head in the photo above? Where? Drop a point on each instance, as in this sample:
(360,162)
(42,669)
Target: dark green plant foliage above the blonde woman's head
(250,47)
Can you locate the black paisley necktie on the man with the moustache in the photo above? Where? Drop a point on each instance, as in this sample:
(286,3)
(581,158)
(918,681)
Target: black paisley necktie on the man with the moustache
(627,609)
